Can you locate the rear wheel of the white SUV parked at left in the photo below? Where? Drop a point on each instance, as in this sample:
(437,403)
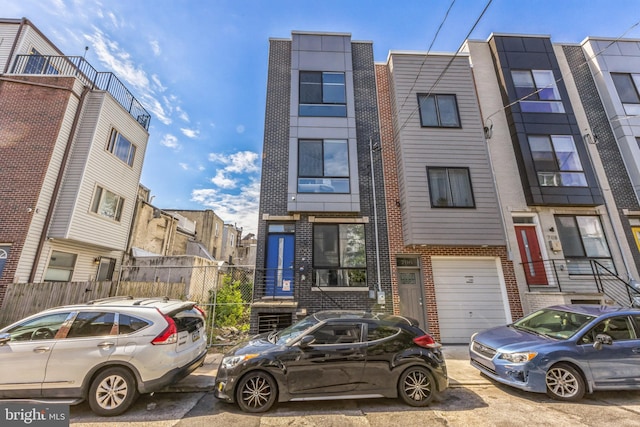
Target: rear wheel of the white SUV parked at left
(112,392)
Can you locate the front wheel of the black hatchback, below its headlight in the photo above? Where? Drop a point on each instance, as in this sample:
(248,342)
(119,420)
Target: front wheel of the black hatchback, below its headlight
(256,392)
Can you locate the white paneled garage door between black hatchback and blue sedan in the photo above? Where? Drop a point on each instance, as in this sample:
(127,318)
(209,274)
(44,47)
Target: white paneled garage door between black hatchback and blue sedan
(469,297)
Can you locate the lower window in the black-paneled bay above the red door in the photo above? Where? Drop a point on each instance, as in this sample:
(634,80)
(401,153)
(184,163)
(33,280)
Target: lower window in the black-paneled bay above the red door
(556,161)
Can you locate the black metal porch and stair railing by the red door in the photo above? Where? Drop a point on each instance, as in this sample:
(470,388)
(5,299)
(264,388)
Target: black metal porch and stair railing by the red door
(588,276)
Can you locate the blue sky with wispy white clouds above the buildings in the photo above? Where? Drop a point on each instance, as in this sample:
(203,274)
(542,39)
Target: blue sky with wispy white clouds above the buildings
(200,67)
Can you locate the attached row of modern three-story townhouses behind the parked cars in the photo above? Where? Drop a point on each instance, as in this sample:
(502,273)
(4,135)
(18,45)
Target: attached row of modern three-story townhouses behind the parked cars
(499,179)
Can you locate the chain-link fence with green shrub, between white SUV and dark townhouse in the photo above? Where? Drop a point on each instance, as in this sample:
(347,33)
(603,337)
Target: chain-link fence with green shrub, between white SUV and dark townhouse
(223,292)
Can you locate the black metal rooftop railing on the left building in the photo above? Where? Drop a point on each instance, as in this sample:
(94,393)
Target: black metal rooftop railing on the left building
(77,66)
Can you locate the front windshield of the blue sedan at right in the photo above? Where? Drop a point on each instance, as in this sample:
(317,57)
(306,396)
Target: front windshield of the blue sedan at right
(553,323)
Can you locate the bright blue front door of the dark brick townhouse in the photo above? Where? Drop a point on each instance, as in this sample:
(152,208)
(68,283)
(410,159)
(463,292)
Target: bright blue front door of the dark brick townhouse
(280,265)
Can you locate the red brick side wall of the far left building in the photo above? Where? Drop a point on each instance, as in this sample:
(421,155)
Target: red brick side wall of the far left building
(30,120)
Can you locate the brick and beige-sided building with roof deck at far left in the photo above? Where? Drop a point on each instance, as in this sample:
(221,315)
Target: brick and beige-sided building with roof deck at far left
(72,144)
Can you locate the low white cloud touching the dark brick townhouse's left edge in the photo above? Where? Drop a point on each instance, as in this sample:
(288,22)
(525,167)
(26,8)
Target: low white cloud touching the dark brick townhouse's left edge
(242,208)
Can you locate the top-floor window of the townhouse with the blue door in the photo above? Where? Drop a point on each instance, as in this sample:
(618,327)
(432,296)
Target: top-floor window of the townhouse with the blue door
(322,94)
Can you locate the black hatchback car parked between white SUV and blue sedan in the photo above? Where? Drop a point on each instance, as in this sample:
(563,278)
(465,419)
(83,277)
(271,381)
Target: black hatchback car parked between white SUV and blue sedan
(334,355)
